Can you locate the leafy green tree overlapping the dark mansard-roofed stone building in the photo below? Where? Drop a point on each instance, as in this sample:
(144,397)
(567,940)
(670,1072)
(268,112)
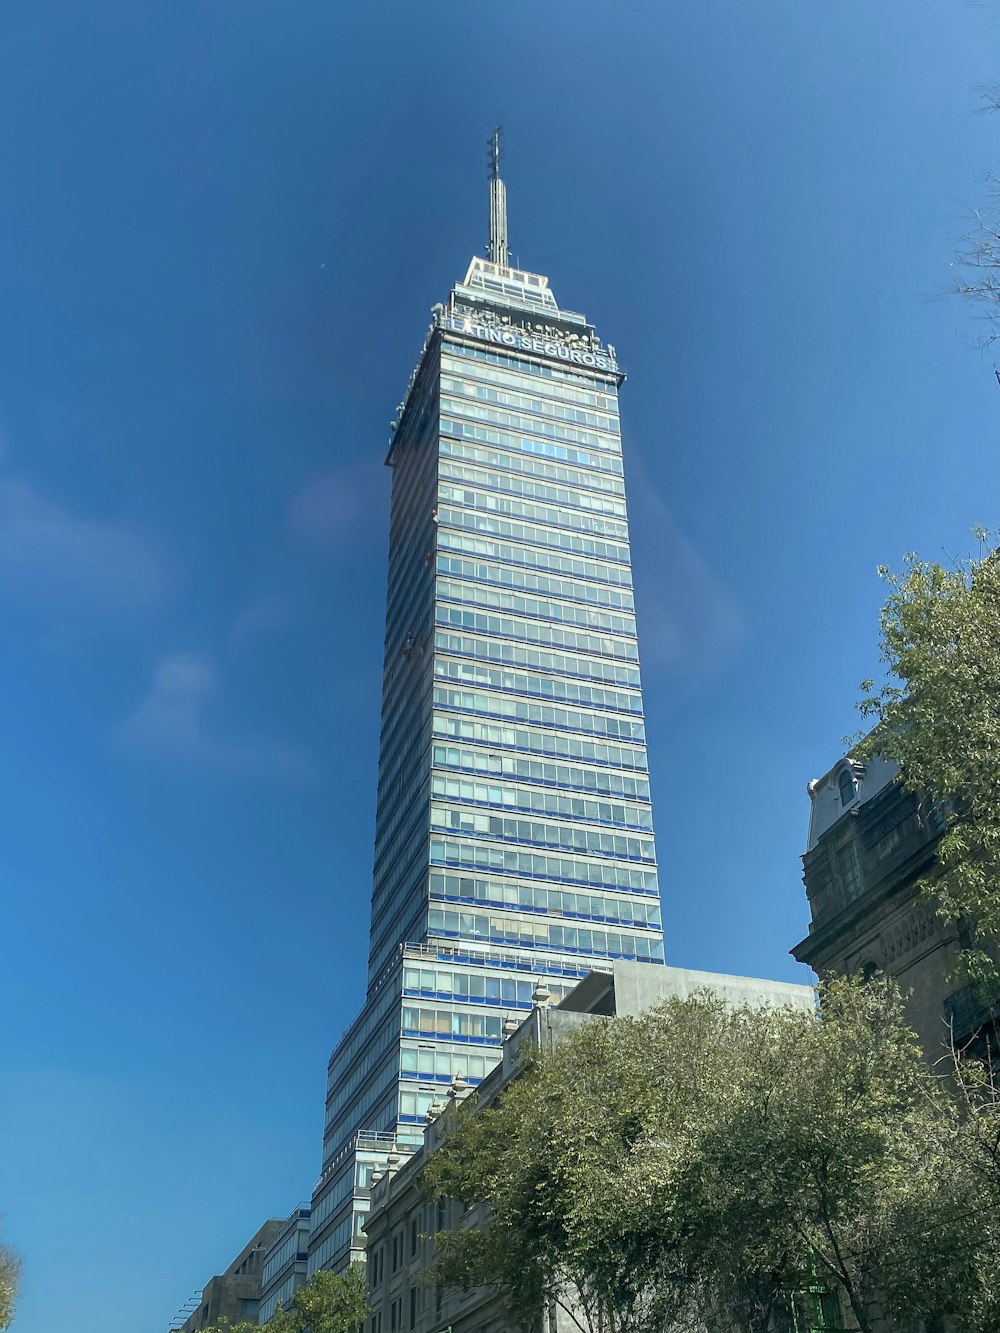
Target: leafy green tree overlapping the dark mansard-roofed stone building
(938,716)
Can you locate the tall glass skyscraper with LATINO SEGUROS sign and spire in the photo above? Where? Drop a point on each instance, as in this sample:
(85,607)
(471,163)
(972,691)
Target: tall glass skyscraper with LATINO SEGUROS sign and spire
(514,832)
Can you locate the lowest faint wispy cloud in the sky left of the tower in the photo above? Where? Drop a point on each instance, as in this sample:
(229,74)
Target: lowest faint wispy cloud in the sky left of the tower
(175,723)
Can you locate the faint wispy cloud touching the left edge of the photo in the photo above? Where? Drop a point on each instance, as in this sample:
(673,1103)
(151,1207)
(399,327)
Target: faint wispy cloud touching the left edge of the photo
(53,554)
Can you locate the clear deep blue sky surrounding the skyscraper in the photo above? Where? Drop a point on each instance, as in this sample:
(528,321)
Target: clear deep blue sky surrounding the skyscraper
(222,229)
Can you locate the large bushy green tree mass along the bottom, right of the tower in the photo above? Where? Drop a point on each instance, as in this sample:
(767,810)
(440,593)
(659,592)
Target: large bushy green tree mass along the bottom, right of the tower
(698,1167)
